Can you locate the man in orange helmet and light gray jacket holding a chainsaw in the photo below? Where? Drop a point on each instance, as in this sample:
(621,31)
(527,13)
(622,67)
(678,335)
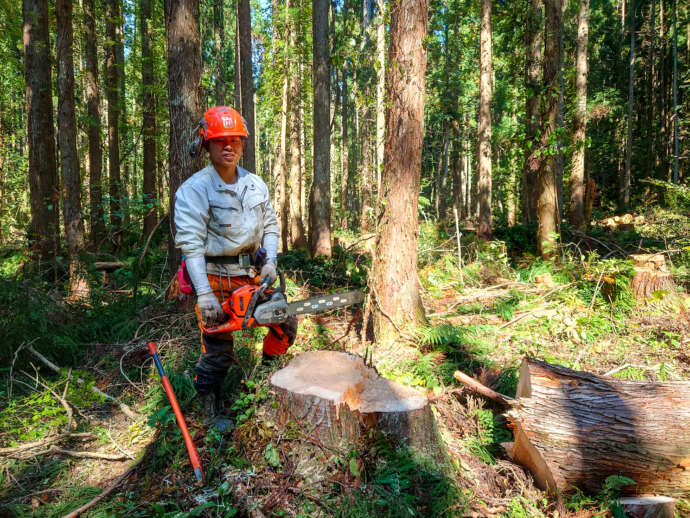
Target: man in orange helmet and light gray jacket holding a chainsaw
(223,216)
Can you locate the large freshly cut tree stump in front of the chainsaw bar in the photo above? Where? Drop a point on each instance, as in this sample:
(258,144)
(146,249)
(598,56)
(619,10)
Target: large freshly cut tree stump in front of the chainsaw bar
(337,399)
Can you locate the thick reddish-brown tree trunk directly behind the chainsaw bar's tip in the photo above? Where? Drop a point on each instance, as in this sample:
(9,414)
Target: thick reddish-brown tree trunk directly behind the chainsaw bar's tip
(394,279)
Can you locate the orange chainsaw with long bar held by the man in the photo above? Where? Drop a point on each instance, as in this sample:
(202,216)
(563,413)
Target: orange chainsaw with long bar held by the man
(252,305)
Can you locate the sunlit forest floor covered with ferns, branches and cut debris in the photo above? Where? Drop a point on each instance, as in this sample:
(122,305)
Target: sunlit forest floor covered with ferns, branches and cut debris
(483,320)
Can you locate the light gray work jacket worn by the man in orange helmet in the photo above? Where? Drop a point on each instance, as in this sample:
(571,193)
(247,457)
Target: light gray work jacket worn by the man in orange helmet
(214,218)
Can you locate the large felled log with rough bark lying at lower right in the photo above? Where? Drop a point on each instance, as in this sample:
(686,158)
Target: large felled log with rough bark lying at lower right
(574,429)
